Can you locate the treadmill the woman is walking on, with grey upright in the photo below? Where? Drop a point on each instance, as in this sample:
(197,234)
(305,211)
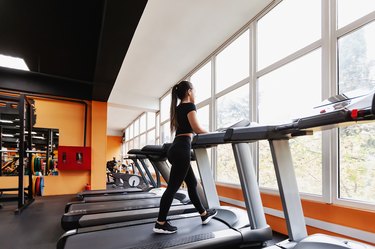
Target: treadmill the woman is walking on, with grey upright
(228,229)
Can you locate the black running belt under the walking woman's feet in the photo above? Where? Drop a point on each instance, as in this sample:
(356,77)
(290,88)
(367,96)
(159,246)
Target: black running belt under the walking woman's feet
(141,236)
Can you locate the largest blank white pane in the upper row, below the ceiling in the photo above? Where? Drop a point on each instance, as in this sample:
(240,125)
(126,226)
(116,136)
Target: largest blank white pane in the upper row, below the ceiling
(290,26)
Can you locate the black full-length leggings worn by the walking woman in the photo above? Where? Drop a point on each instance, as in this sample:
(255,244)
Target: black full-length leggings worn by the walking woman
(179,157)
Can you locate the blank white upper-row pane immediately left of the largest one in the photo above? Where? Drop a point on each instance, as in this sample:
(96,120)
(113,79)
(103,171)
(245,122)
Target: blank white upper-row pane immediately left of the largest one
(232,64)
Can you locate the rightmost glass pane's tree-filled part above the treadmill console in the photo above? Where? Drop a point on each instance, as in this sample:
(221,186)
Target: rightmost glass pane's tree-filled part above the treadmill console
(357,60)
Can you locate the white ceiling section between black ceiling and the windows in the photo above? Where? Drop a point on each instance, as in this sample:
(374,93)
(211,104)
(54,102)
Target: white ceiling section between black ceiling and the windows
(172,38)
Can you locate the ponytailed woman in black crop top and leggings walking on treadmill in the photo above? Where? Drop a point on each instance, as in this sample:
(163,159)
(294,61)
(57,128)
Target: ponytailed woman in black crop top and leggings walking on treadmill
(184,121)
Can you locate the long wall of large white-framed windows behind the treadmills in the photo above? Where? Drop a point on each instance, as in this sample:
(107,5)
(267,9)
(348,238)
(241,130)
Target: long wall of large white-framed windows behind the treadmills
(289,70)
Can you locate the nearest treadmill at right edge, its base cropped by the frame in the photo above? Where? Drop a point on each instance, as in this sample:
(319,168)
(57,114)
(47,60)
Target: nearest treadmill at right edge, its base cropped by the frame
(337,111)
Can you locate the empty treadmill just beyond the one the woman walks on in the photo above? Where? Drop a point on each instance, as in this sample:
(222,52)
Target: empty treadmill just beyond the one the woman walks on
(129,207)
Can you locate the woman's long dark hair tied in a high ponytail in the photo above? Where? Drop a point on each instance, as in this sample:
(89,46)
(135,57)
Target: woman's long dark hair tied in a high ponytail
(178,91)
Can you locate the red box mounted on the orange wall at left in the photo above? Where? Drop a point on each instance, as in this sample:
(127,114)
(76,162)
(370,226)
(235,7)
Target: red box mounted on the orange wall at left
(74,158)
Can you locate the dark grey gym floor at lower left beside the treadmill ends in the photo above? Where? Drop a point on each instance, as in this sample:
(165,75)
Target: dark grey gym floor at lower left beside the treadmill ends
(38,226)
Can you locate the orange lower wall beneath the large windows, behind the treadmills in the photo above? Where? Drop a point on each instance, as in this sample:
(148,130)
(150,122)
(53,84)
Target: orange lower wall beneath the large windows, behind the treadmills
(336,214)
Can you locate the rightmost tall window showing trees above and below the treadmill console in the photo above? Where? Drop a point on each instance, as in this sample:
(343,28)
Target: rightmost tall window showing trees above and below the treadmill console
(357,143)
